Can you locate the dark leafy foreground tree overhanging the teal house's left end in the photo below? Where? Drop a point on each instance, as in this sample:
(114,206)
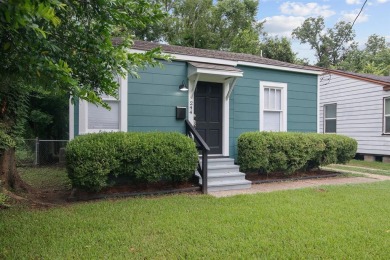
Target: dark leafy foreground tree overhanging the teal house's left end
(65,46)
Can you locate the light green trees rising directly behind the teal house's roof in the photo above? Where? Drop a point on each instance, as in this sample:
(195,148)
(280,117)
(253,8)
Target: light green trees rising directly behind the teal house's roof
(228,25)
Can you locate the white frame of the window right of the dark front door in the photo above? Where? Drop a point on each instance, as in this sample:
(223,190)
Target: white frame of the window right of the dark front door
(283,111)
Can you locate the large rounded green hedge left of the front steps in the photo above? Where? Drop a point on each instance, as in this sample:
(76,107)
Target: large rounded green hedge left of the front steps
(93,160)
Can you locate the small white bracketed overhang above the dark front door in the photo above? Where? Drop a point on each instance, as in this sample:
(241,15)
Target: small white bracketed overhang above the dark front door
(213,72)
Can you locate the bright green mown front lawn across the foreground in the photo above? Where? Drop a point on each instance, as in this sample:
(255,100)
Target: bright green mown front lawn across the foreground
(335,222)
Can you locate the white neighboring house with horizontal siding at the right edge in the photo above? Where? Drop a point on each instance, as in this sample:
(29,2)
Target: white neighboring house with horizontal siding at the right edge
(358,106)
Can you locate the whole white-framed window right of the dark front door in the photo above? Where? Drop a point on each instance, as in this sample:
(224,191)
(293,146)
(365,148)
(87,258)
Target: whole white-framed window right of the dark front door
(273,106)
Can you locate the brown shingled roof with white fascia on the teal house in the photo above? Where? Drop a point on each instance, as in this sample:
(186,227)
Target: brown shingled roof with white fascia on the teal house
(237,58)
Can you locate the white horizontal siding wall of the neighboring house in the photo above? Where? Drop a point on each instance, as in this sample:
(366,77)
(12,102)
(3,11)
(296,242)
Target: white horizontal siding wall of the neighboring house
(359,112)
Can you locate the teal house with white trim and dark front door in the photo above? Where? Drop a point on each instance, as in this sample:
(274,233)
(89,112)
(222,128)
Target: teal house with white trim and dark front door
(225,95)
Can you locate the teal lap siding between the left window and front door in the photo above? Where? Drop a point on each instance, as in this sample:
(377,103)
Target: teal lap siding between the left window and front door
(152,99)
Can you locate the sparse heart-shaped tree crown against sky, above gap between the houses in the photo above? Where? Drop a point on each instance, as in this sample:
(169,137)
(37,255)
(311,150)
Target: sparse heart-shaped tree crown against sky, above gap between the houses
(329,45)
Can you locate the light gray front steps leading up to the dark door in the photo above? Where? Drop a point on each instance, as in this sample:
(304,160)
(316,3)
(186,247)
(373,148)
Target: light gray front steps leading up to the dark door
(223,174)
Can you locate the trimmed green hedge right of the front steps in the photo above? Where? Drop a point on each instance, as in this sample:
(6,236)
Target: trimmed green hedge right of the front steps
(269,152)
